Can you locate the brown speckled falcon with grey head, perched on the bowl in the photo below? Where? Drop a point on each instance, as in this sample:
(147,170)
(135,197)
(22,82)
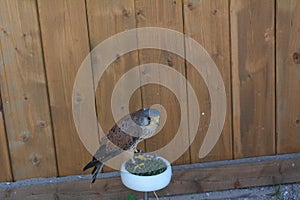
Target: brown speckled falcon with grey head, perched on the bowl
(124,136)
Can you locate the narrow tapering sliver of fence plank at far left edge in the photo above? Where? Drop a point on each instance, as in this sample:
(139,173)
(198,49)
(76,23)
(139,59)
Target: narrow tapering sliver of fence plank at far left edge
(5,167)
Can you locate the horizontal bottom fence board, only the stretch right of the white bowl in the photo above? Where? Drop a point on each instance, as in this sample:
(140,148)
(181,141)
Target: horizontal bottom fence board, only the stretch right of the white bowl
(245,174)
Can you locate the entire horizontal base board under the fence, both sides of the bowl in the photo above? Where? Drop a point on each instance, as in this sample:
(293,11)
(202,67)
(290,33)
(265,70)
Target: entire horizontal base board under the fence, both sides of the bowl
(186,180)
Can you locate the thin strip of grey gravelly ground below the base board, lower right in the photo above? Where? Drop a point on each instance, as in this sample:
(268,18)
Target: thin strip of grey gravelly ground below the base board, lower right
(279,192)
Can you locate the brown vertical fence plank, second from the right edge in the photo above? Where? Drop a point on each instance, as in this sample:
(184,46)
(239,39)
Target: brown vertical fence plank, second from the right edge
(253,82)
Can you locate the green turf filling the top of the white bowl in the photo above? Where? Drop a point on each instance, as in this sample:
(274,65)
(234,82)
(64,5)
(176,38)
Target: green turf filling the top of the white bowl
(146,165)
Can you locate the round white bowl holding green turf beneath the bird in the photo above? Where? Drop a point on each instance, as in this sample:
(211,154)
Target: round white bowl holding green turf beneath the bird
(146,183)
